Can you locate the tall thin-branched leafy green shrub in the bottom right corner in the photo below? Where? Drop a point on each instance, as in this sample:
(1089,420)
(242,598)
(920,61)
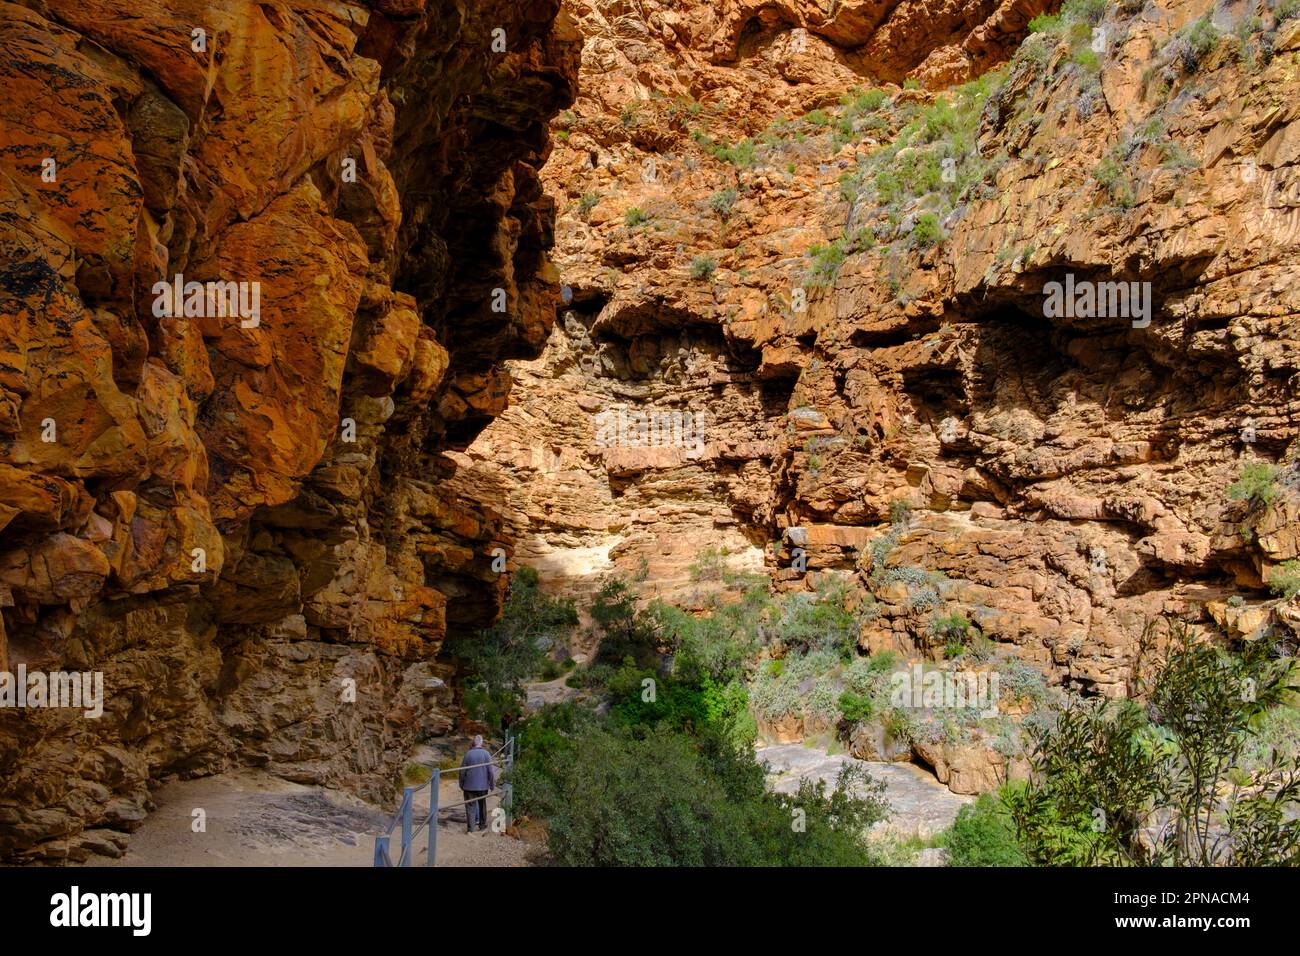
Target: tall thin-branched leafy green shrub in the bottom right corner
(1116,784)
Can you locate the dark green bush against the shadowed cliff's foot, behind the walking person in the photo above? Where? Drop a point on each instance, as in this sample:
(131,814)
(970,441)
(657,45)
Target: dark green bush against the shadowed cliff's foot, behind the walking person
(504,656)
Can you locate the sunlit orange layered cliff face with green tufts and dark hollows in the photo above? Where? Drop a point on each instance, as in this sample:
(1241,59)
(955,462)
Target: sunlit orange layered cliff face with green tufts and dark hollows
(856,292)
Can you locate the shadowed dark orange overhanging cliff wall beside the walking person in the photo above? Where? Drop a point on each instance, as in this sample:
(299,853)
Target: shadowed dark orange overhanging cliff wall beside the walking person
(244,517)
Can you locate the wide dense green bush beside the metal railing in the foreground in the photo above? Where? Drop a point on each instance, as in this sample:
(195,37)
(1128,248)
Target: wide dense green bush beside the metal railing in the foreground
(614,795)
